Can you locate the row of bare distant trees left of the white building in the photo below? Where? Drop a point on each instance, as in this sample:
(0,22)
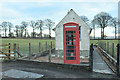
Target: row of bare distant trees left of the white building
(23,30)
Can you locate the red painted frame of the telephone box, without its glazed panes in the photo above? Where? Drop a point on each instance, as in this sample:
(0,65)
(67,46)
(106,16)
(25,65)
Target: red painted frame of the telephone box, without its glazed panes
(77,61)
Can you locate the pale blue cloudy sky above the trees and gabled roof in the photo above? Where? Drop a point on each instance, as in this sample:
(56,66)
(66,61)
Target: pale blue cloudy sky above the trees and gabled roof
(26,10)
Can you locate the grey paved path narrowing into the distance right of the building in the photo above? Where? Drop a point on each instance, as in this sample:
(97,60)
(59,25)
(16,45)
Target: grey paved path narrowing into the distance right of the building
(99,64)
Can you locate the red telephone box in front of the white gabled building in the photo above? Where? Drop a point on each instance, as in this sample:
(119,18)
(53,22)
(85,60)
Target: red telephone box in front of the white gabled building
(71,43)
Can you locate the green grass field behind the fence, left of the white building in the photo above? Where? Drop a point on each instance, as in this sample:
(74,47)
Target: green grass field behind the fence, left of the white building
(24,44)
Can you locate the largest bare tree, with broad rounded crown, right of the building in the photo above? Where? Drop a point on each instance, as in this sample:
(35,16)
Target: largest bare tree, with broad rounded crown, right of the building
(102,20)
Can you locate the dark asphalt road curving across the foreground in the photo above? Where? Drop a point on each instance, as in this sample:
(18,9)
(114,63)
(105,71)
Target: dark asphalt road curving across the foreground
(51,71)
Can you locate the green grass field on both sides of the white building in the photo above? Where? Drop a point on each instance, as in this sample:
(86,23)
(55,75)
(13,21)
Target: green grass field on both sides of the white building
(24,44)
